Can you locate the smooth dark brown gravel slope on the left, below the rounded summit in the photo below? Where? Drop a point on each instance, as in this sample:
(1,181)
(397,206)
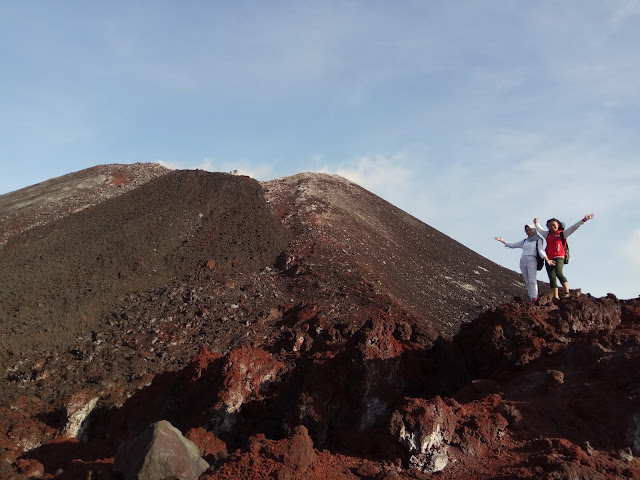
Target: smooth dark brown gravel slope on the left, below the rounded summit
(56,281)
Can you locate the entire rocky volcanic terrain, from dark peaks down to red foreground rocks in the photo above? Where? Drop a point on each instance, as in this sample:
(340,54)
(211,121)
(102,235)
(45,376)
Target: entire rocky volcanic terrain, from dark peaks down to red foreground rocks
(300,328)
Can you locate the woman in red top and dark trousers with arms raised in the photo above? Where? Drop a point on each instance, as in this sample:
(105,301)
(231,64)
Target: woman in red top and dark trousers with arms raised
(555,250)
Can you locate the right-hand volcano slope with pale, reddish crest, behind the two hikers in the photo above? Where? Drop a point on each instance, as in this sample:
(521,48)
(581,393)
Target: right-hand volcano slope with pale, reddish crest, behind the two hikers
(347,230)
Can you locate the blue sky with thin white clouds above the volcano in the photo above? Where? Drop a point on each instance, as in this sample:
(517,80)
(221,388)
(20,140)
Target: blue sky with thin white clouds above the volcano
(475,117)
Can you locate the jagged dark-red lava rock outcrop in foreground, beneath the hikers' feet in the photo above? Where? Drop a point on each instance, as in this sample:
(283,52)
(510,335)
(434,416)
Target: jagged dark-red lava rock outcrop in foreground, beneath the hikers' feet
(539,421)
